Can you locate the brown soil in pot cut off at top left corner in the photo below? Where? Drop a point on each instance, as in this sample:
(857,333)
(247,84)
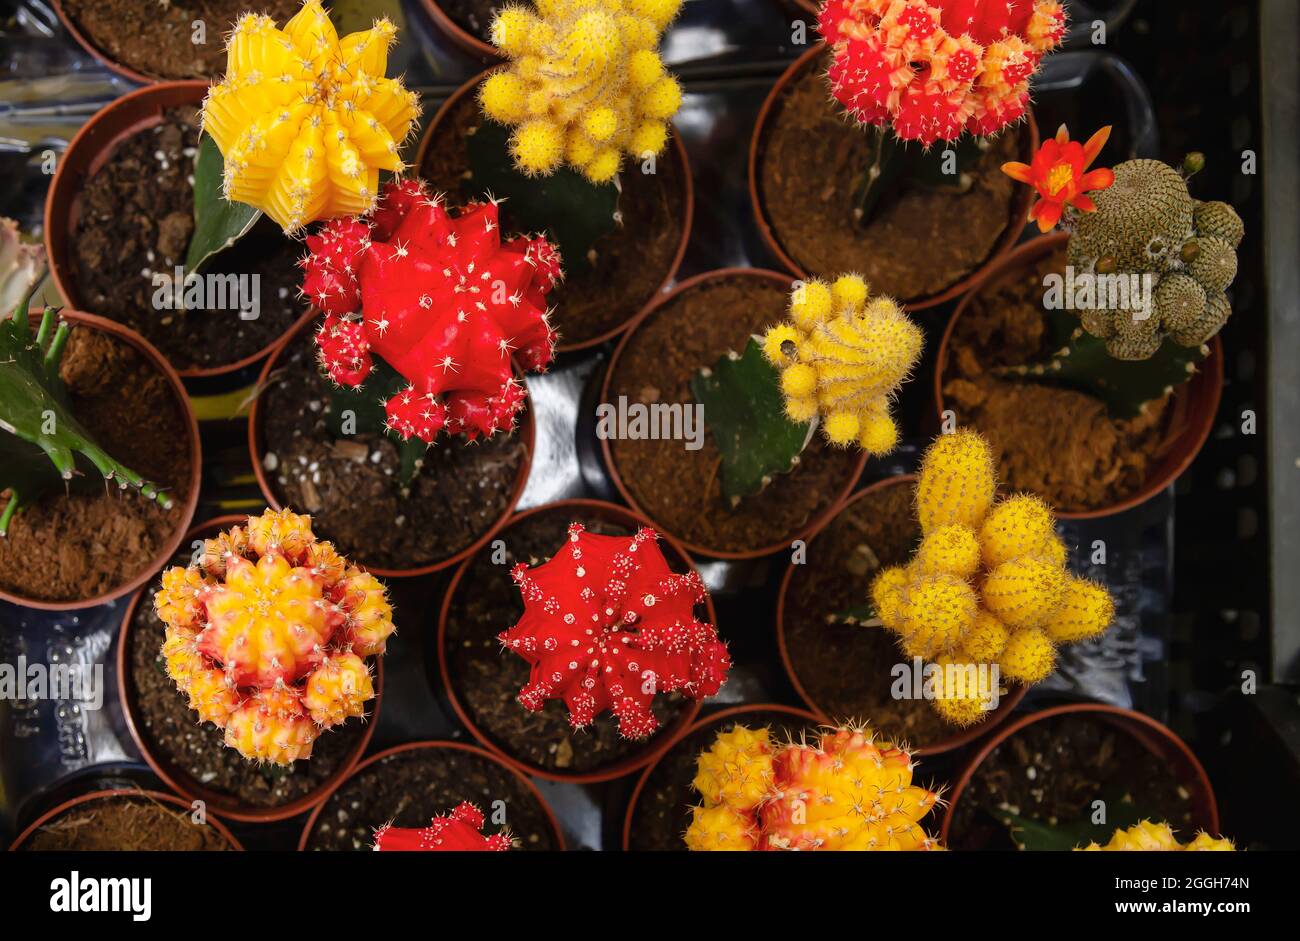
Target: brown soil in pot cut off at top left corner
(159,38)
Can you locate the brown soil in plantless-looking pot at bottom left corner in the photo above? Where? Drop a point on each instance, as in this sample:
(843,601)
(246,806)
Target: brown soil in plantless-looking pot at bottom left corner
(125,825)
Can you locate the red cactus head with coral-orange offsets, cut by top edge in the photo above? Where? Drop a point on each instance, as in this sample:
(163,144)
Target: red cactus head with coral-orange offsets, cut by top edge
(931,70)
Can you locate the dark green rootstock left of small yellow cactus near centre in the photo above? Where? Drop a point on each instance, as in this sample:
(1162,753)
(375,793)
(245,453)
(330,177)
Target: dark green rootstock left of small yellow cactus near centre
(746,413)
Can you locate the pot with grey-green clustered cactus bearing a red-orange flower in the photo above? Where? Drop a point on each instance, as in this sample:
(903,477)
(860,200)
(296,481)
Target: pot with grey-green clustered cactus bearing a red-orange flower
(1106,336)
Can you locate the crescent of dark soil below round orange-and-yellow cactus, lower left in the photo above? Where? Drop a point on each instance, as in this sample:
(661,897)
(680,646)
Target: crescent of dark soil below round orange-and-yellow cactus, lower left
(174,732)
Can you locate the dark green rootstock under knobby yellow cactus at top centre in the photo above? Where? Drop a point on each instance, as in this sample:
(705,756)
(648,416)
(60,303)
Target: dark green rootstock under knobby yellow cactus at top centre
(570,209)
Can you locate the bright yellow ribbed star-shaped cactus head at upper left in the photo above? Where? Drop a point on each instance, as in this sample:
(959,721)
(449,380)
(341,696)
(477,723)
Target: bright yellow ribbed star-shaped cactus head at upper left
(306,120)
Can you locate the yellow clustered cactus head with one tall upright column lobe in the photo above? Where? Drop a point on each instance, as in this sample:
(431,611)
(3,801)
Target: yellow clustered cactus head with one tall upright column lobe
(989,584)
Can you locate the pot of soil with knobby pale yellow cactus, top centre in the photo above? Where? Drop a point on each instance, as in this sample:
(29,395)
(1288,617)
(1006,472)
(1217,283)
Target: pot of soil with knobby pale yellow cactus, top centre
(579,145)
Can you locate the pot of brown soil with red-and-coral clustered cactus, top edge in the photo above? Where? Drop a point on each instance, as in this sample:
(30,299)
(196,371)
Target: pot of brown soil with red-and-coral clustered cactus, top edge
(937,96)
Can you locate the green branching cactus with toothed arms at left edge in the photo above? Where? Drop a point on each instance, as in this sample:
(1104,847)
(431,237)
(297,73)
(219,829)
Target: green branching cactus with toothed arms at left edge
(44,437)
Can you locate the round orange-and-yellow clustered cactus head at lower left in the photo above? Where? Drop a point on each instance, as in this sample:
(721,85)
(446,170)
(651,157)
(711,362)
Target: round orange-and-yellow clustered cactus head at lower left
(267,635)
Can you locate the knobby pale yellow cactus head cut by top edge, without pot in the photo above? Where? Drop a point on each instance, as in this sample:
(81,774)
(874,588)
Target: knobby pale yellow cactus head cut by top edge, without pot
(586,84)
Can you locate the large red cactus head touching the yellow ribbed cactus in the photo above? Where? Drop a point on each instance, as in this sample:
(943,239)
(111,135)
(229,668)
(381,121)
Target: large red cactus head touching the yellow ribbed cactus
(443,300)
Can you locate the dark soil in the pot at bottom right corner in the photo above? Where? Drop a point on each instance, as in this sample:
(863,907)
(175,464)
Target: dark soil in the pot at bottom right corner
(1054,771)
